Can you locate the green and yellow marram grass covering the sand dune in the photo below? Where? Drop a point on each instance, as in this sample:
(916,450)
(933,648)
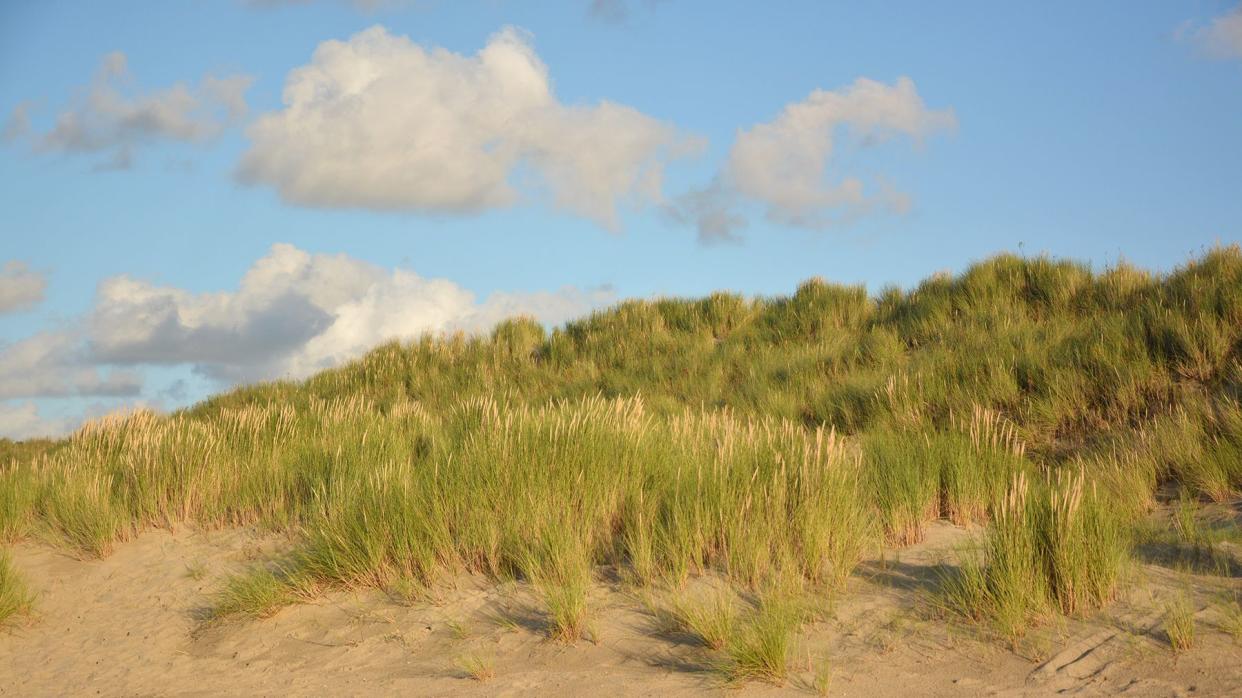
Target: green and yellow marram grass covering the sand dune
(774,443)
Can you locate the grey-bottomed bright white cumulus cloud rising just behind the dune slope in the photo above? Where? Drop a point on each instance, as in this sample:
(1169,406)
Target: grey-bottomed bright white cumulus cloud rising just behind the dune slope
(296,314)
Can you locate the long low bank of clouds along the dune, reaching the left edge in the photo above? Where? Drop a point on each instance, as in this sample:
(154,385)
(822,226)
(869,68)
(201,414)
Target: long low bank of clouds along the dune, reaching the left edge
(292,315)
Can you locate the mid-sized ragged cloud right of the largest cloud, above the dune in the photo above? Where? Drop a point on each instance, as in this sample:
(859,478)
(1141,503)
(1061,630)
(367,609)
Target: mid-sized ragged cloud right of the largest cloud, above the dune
(788,166)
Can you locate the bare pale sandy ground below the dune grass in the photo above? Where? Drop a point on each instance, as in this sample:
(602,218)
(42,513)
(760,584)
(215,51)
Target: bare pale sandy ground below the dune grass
(130,625)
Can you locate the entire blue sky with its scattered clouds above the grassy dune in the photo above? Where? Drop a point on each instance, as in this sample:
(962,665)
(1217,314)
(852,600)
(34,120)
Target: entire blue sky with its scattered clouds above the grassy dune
(444,165)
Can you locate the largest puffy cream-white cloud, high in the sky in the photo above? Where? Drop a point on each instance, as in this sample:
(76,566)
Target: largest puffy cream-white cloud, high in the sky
(379,122)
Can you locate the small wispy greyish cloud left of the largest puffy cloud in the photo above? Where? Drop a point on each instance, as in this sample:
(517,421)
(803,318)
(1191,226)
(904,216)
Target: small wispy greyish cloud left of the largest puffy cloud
(111,119)
